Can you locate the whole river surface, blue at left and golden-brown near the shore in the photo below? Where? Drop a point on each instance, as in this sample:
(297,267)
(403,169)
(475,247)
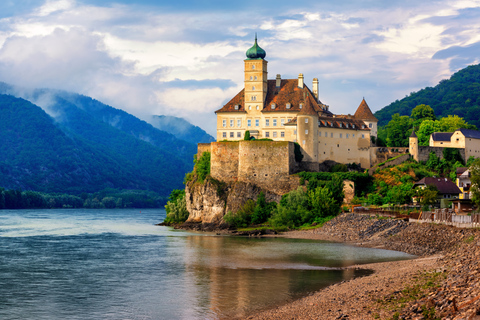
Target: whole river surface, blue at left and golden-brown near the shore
(116,264)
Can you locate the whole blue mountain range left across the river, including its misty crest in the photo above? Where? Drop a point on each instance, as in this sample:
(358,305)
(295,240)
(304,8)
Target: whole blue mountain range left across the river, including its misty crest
(91,146)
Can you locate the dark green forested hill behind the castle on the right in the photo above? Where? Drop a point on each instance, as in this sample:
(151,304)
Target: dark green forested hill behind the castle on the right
(460,95)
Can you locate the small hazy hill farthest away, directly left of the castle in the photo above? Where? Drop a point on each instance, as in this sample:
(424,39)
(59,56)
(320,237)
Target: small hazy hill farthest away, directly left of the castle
(181,129)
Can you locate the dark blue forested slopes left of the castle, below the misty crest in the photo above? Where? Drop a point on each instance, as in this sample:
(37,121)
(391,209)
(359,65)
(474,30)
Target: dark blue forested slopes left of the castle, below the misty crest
(90,155)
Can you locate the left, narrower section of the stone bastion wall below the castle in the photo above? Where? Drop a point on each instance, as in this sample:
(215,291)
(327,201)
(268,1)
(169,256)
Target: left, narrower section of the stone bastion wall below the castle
(224,160)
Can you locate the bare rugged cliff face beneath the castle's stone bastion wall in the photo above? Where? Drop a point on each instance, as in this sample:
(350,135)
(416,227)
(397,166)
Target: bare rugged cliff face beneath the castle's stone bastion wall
(209,201)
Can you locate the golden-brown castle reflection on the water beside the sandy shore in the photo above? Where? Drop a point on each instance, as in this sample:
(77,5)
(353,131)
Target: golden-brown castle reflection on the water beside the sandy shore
(234,276)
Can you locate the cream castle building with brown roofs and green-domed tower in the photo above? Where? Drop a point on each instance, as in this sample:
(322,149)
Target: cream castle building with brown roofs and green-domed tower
(287,110)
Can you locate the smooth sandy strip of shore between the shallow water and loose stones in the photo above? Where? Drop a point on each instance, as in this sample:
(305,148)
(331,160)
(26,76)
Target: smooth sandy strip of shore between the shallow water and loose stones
(357,298)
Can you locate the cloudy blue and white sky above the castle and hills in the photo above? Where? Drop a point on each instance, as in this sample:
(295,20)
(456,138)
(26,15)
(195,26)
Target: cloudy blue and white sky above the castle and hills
(185,58)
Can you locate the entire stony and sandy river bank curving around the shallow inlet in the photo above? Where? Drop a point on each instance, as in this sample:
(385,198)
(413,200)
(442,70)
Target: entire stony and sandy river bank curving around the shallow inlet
(443,283)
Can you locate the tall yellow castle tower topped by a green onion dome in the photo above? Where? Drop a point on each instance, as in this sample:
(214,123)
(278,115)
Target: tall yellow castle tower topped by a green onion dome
(255,80)
